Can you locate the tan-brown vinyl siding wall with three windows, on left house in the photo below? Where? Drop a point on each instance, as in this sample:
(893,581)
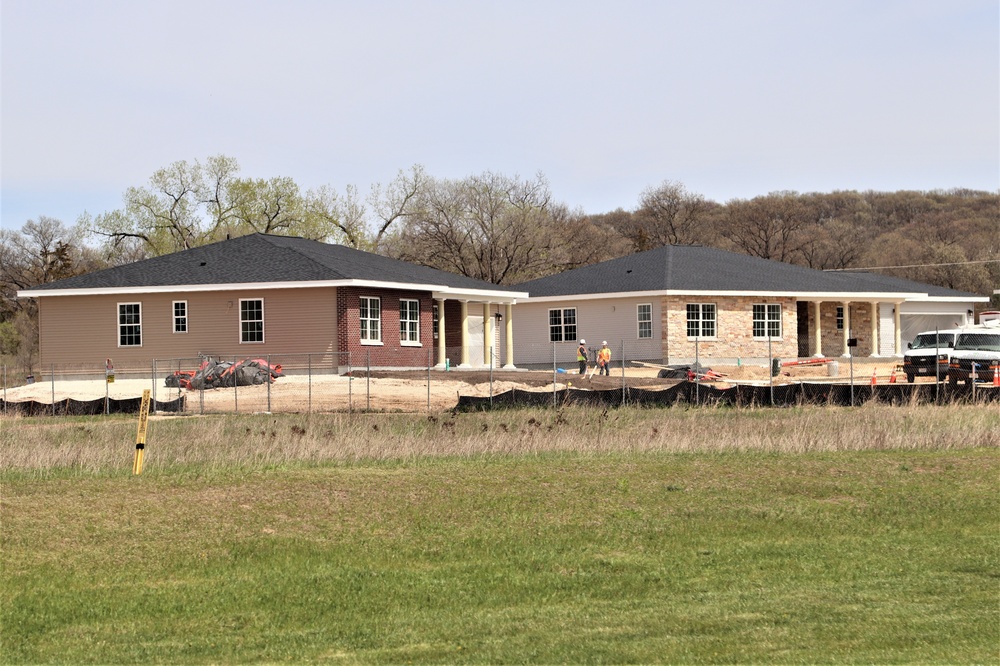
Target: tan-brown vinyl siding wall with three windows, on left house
(83,330)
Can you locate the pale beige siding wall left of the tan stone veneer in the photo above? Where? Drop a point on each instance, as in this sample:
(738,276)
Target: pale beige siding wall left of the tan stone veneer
(611,319)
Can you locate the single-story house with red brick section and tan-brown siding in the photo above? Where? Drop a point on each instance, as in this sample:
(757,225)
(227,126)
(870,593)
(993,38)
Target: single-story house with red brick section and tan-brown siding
(263,294)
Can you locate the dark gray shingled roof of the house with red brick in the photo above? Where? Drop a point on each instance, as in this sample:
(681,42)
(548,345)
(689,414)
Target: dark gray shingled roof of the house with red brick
(264,258)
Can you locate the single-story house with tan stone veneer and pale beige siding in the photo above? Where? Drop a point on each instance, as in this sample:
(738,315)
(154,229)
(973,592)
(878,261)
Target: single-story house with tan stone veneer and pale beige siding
(659,304)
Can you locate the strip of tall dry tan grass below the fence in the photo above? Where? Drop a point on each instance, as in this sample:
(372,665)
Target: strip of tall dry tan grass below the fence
(106,444)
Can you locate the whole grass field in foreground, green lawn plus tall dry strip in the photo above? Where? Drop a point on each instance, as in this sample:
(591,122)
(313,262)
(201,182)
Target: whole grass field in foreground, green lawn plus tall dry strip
(682,536)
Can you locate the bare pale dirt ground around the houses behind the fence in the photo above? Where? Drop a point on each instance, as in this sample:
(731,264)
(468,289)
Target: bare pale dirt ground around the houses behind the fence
(405,391)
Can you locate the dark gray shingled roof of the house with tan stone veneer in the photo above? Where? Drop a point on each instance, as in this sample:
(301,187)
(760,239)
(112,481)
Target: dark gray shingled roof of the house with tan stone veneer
(682,268)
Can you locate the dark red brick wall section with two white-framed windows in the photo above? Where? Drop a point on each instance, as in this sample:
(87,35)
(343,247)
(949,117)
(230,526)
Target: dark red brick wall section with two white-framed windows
(390,353)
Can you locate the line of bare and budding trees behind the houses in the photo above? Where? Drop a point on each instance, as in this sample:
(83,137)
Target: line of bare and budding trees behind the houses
(503,229)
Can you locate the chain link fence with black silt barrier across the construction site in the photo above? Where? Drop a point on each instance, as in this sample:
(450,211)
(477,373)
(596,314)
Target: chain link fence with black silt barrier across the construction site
(421,379)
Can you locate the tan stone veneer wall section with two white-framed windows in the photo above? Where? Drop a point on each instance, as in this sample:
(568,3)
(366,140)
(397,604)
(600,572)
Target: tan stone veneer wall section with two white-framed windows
(734,329)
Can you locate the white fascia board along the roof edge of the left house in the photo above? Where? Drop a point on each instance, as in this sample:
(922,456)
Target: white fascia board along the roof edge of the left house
(447,292)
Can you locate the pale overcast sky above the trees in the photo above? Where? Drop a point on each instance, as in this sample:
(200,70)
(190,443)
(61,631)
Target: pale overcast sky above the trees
(732,98)
